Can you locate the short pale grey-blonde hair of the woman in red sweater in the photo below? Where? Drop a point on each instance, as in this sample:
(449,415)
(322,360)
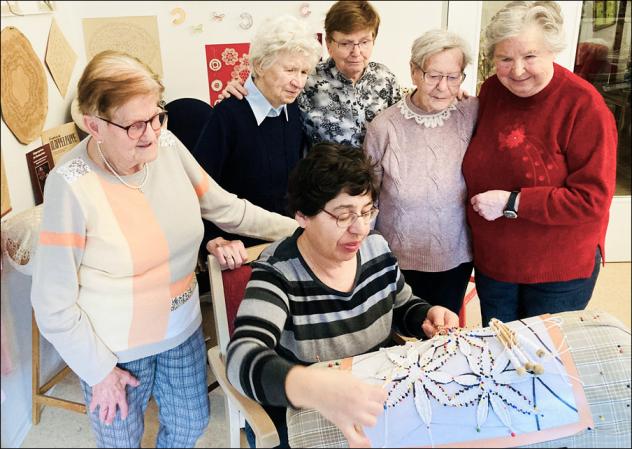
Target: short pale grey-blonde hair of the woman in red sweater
(511,20)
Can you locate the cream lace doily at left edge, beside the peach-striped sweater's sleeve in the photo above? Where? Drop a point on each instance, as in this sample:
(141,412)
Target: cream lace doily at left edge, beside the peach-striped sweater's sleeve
(20,234)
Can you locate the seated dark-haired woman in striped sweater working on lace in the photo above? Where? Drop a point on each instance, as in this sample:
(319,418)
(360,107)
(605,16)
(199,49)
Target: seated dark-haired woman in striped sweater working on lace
(331,290)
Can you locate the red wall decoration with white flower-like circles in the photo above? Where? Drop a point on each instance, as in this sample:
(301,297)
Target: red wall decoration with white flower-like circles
(223,63)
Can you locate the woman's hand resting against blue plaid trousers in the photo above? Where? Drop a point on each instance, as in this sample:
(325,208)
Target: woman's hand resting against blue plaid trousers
(110,393)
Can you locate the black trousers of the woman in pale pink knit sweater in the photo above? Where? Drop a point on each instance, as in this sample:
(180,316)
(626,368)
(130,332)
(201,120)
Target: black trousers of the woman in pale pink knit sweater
(443,288)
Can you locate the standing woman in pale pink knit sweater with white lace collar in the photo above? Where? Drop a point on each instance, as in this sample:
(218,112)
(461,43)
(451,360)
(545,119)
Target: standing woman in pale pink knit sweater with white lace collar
(419,145)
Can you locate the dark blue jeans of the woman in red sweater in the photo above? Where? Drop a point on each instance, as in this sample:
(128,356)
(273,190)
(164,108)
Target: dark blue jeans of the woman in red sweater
(507,301)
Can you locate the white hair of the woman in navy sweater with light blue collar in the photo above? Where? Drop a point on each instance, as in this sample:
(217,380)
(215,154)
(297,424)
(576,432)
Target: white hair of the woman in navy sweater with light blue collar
(283,34)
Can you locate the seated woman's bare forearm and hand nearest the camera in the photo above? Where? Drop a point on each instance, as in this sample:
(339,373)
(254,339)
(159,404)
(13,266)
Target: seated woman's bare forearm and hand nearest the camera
(341,398)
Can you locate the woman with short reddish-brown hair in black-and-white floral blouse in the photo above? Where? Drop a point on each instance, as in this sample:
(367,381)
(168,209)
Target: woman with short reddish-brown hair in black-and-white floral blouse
(347,90)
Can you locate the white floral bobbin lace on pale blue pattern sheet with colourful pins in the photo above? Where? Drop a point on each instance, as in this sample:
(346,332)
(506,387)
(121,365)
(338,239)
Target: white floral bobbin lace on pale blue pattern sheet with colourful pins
(488,374)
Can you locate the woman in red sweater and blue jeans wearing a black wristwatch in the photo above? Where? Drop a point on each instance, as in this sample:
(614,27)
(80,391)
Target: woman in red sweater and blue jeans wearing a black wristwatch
(540,172)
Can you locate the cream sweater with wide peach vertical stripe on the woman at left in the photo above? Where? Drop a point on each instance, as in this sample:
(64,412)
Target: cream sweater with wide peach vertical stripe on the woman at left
(113,277)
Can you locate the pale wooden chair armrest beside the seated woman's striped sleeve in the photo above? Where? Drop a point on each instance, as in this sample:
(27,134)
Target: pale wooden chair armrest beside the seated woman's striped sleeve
(253,412)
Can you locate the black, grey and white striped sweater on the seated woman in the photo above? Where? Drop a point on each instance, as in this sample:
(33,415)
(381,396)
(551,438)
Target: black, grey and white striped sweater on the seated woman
(290,317)
